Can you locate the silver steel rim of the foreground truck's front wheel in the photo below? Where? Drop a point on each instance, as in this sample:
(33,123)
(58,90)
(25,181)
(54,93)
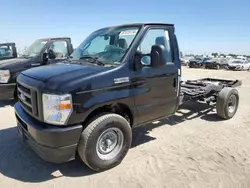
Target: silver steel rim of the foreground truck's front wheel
(109,143)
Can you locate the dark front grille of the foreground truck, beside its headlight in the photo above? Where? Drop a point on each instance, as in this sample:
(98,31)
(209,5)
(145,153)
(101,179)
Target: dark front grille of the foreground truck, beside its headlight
(28,99)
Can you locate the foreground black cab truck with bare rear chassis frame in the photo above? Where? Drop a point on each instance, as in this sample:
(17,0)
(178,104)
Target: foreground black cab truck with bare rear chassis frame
(119,78)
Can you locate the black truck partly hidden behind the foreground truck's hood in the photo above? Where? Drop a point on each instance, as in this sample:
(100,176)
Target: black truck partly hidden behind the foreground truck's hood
(41,52)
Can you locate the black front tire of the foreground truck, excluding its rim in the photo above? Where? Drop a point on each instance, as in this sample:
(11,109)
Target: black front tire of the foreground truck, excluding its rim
(87,147)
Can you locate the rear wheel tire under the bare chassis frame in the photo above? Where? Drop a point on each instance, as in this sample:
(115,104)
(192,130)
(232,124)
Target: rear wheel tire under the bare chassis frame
(223,103)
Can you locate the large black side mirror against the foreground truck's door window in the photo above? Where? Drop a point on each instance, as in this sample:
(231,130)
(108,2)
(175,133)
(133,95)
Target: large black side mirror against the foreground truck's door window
(158,58)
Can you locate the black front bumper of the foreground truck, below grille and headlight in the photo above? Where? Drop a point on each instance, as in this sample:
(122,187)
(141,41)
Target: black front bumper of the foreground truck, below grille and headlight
(51,143)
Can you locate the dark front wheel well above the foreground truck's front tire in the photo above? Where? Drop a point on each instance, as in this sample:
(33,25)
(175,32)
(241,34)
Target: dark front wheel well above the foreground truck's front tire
(119,108)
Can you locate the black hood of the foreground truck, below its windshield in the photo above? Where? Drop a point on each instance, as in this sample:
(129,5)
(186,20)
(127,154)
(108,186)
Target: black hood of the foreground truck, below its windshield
(62,73)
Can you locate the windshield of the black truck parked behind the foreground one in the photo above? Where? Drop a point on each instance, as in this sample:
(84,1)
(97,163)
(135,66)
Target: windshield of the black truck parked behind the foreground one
(35,48)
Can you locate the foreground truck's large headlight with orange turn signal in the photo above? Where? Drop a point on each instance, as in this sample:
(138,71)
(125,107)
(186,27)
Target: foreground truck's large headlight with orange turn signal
(57,108)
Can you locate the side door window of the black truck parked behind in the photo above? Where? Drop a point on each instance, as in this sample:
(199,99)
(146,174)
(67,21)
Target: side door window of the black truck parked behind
(58,50)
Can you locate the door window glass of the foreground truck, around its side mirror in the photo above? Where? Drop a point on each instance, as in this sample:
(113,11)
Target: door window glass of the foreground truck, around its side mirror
(156,37)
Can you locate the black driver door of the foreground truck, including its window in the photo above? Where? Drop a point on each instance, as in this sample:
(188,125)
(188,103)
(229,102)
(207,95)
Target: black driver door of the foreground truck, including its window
(156,89)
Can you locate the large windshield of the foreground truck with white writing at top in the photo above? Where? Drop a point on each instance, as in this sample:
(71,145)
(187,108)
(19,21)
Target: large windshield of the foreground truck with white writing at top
(107,45)
